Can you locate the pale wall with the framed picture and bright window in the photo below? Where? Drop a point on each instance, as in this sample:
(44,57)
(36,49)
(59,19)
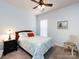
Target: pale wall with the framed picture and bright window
(70,13)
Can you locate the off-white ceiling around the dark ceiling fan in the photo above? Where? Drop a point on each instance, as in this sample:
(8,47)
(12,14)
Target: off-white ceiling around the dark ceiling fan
(28,5)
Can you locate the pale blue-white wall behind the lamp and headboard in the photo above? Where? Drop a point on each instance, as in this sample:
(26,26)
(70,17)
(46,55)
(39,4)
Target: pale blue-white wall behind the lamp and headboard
(14,18)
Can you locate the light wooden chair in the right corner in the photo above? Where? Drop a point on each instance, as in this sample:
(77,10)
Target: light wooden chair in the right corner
(71,44)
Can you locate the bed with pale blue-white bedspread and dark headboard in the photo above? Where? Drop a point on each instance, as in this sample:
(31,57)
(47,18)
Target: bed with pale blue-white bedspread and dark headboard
(37,46)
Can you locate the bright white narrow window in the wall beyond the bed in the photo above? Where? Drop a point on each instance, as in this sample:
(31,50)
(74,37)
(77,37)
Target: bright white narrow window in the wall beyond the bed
(43,27)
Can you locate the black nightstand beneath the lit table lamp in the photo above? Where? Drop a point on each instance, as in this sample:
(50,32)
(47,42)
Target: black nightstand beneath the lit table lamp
(9,46)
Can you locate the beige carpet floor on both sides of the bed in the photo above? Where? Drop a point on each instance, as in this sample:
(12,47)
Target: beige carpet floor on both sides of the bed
(53,53)
